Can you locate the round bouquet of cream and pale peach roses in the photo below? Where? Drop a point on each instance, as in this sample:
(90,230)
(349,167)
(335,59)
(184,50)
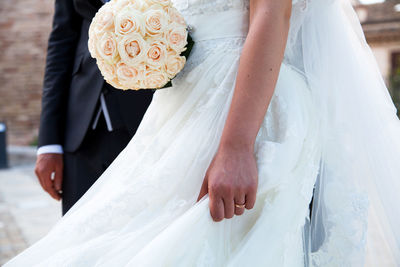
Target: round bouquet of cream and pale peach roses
(139,44)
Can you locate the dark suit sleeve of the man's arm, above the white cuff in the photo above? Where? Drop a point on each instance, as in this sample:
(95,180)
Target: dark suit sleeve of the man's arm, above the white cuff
(62,44)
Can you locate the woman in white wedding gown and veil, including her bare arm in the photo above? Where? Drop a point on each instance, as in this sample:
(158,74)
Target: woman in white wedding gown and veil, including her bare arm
(280,104)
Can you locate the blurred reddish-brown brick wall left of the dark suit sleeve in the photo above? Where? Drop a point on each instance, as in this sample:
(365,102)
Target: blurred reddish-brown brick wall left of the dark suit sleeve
(24,30)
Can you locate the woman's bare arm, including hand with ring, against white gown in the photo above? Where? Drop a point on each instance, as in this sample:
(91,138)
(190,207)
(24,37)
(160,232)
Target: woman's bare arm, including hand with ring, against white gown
(232,176)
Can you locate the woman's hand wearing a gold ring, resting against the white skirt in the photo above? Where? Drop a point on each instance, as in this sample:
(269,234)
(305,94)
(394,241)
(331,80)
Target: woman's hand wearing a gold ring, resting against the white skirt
(231,179)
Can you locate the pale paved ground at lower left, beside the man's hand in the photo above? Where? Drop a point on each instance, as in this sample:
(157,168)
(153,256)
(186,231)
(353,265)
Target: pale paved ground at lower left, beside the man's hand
(26,212)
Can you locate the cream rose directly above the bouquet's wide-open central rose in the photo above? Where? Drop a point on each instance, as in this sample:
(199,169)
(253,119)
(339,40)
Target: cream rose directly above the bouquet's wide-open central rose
(129,20)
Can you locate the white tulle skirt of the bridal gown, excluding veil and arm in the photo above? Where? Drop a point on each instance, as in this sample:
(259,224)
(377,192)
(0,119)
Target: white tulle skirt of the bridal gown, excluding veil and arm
(143,211)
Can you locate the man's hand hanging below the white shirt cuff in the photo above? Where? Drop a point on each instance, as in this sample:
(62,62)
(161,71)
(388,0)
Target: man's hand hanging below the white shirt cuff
(49,170)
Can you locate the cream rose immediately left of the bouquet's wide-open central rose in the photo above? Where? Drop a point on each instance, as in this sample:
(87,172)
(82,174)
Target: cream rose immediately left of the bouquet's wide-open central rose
(107,48)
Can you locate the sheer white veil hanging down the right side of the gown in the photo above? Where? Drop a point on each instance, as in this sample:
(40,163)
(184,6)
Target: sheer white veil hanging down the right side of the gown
(359,178)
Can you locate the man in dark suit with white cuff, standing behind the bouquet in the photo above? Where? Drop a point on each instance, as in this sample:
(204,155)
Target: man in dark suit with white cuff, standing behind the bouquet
(85,123)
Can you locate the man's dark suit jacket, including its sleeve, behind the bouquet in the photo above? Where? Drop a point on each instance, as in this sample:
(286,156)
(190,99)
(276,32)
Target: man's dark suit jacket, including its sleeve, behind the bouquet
(73,83)
